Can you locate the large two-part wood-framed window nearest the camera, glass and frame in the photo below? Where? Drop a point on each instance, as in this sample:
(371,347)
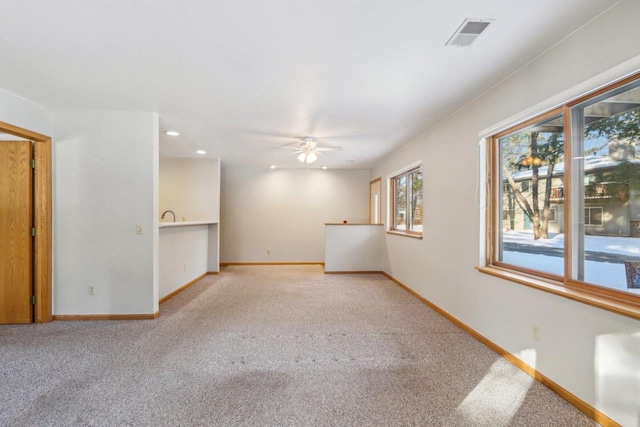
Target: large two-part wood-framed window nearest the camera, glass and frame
(565,197)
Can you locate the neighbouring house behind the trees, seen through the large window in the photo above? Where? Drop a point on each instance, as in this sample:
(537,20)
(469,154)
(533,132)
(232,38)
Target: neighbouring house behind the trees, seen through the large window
(610,208)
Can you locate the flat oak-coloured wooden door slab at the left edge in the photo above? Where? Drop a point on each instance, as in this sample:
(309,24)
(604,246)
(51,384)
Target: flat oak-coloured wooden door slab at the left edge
(16,213)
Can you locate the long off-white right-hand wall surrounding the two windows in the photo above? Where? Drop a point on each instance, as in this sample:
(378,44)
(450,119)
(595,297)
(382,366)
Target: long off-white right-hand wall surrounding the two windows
(593,353)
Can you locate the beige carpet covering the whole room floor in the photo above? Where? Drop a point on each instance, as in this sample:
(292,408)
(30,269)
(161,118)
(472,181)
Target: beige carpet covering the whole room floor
(270,346)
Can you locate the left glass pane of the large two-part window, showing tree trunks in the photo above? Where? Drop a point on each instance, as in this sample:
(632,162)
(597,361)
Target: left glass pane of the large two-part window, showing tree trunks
(531,164)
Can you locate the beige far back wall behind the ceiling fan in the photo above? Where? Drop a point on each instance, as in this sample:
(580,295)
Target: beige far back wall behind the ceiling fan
(285,210)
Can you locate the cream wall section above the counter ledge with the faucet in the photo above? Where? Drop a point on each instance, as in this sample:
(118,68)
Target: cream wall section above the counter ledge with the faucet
(190,188)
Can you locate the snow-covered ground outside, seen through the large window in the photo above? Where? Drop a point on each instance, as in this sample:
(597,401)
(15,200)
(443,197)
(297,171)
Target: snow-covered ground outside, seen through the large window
(610,275)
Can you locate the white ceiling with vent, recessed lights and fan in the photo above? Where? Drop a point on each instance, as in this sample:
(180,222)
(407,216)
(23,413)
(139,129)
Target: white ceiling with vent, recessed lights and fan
(239,78)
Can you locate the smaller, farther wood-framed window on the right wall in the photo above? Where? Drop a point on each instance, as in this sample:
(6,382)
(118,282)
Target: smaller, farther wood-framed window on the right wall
(406,203)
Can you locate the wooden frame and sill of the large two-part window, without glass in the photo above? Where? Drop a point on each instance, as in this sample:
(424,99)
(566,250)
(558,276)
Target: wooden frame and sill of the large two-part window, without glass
(617,301)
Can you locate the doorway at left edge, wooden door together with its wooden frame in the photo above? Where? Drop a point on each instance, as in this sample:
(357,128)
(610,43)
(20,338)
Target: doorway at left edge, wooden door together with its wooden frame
(28,214)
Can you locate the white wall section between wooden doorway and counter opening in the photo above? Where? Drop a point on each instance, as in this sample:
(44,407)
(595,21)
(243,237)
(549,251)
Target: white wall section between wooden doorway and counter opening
(105,167)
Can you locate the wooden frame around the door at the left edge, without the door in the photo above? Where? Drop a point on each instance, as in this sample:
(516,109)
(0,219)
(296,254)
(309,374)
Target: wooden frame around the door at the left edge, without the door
(42,208)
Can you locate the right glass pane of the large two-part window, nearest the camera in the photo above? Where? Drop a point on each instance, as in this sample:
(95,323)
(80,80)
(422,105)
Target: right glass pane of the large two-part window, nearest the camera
(606,161)
